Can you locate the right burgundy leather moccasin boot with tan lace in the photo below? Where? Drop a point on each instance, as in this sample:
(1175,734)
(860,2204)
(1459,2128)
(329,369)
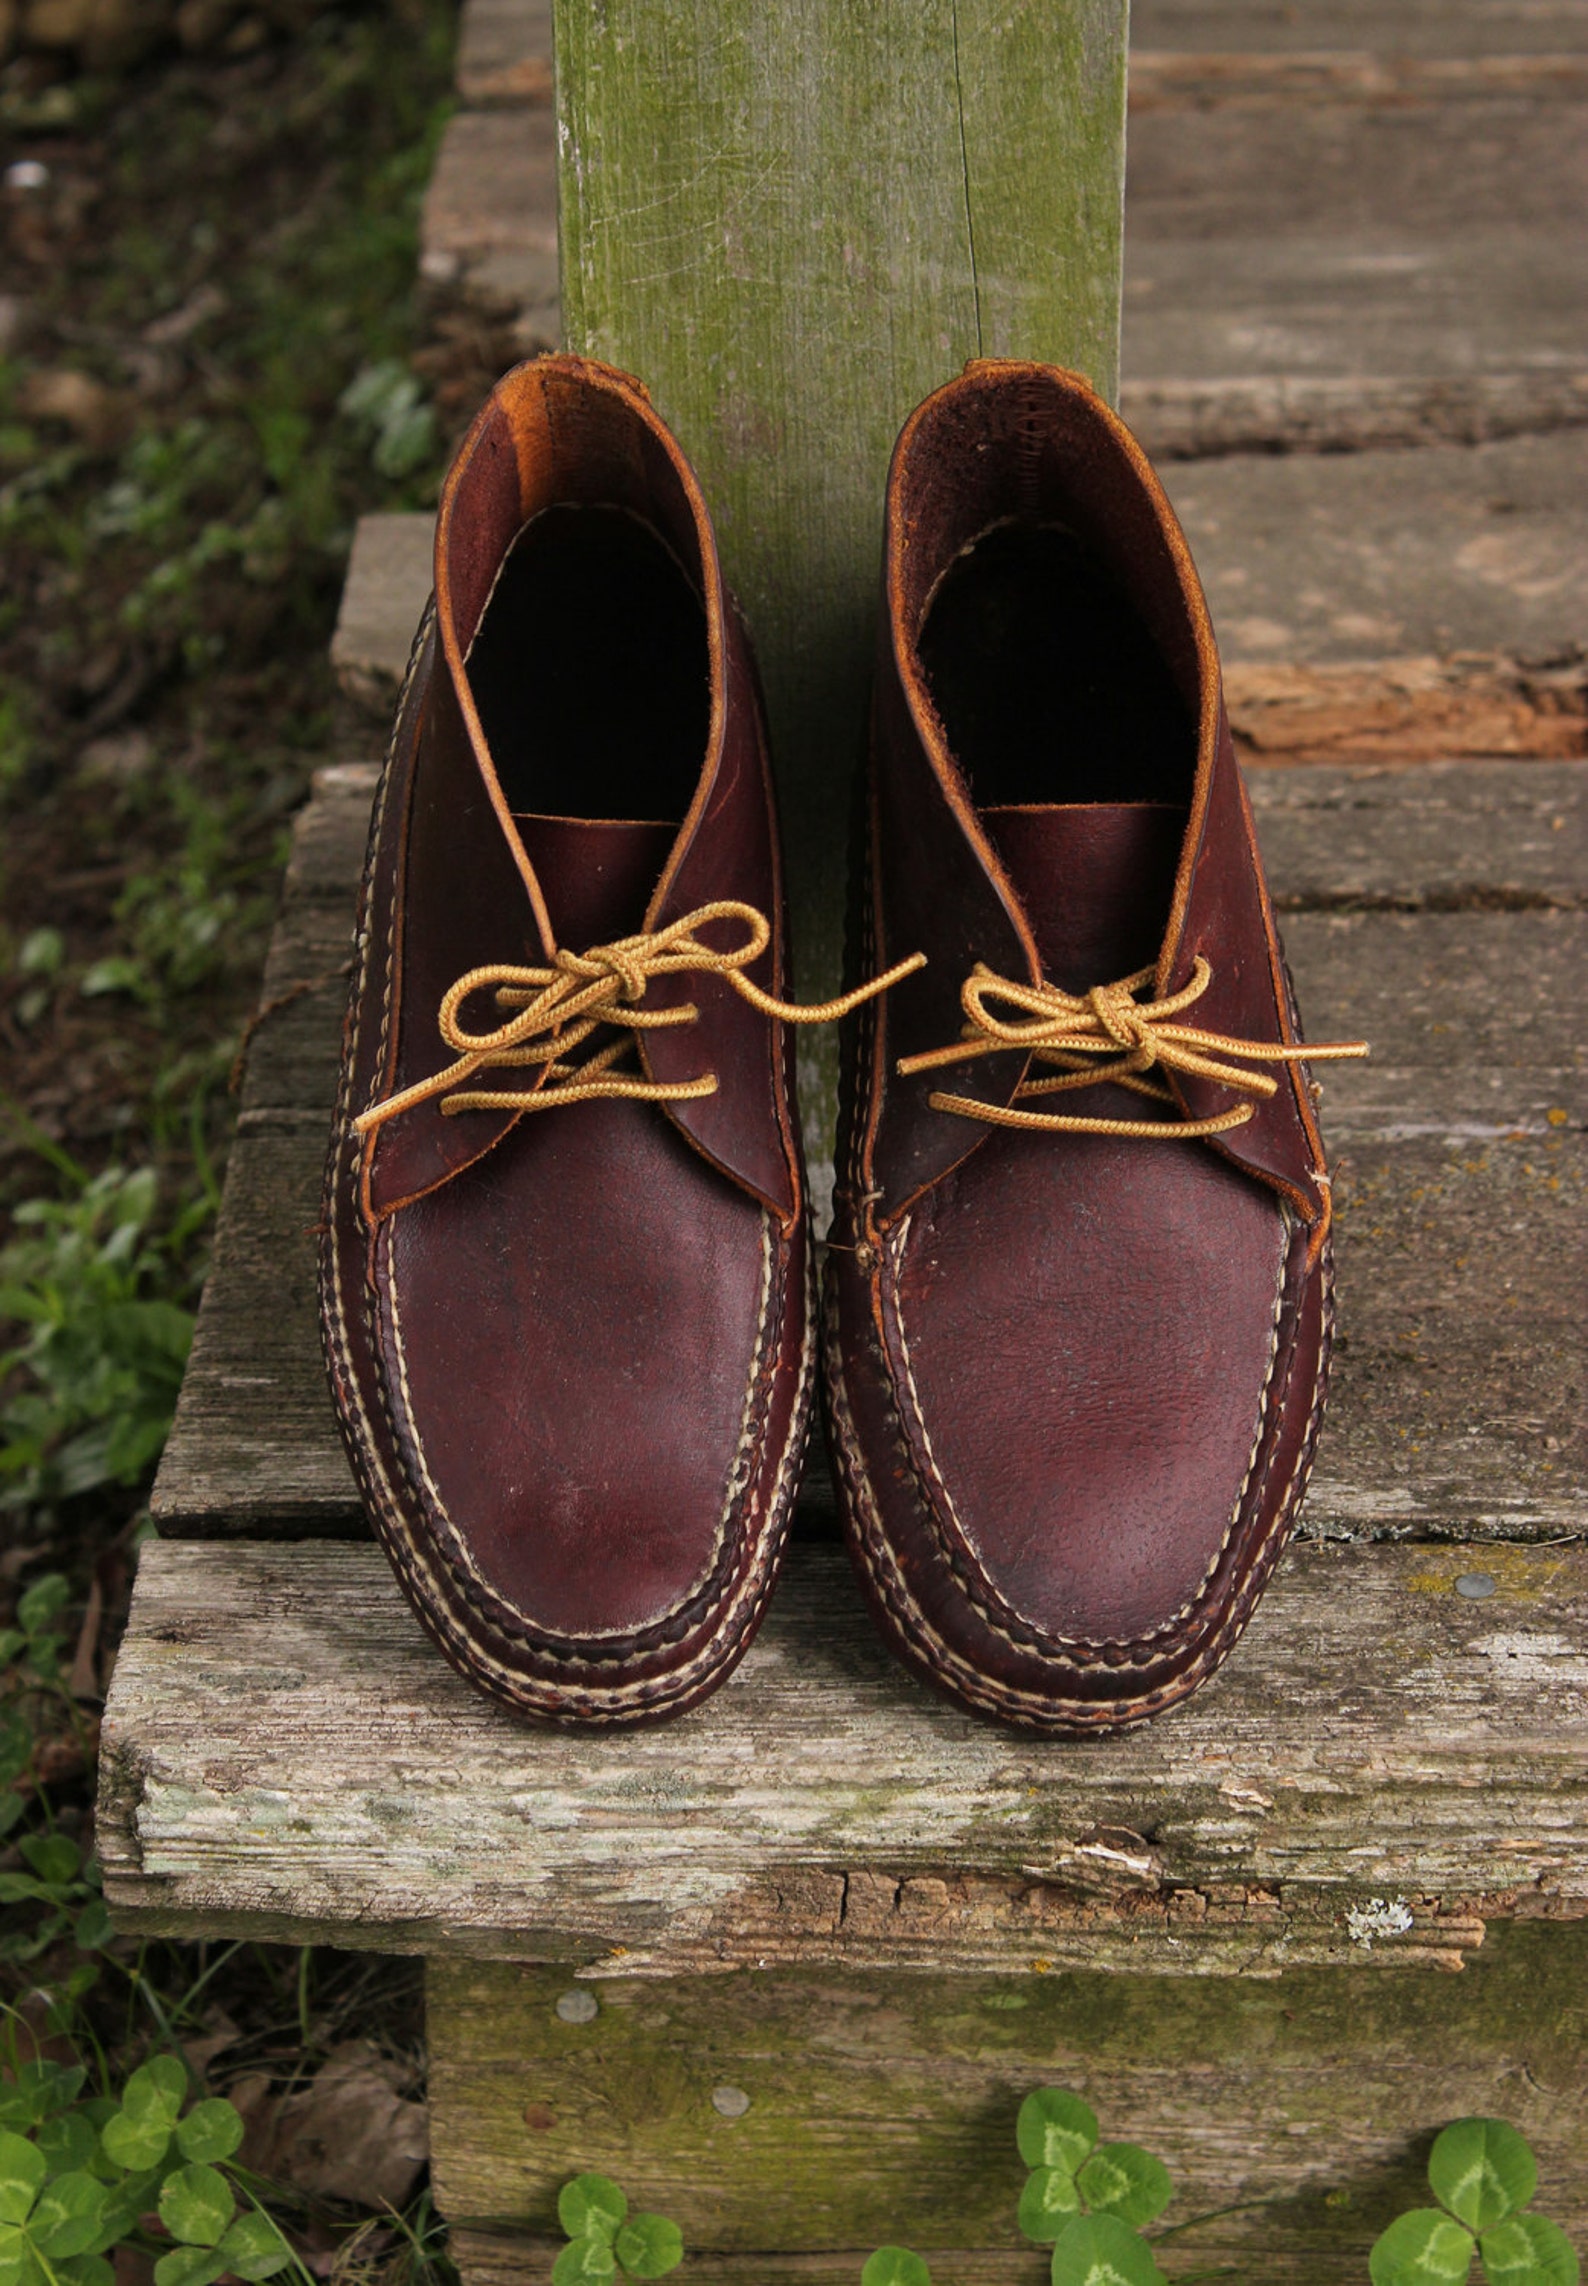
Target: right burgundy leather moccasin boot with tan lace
(1080,1288)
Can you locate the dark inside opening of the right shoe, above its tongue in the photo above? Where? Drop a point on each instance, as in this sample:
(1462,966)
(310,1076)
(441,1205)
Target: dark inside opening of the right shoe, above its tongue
(1048,680)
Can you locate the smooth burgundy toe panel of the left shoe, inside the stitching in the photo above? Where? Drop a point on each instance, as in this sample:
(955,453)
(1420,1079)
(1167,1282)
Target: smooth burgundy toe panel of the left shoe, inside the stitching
(588,1492)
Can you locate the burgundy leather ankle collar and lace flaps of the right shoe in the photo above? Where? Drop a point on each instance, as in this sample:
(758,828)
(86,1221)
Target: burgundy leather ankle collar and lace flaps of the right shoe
(1029,442)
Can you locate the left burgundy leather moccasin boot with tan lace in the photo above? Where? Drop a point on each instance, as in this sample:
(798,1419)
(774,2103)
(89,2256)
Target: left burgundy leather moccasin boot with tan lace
(566,1261)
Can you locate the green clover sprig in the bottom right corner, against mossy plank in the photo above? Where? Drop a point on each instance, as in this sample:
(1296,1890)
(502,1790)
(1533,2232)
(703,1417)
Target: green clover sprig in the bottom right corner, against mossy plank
(1482,2175)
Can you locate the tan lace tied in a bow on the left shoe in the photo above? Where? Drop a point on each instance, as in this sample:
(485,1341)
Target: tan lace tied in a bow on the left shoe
(566,1002)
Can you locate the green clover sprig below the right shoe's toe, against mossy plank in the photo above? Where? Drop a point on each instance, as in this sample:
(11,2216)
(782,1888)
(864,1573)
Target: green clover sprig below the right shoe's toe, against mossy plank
(1084,2198)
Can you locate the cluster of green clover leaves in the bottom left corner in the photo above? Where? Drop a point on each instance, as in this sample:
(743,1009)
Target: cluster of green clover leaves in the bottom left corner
(81,2177)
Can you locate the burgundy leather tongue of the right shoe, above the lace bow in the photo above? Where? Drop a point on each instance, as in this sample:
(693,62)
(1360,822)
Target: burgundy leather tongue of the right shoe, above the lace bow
(1096,879)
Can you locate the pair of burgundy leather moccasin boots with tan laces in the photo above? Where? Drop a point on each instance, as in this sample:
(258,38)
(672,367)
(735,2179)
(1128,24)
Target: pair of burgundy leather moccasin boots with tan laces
(1080,1281)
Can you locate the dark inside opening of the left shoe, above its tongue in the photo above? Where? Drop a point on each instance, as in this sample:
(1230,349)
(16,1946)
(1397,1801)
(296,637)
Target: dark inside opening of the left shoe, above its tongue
(591,671)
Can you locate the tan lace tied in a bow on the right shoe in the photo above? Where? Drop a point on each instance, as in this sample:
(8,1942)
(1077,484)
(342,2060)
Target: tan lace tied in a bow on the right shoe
(1109,1037)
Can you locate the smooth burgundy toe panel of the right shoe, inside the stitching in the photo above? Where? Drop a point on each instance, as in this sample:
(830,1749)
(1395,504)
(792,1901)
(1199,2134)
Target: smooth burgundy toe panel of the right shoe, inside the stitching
(1082,1341)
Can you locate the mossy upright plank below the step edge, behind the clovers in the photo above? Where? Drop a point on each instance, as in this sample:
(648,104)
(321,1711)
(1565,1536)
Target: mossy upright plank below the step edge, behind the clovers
(883,2107)
